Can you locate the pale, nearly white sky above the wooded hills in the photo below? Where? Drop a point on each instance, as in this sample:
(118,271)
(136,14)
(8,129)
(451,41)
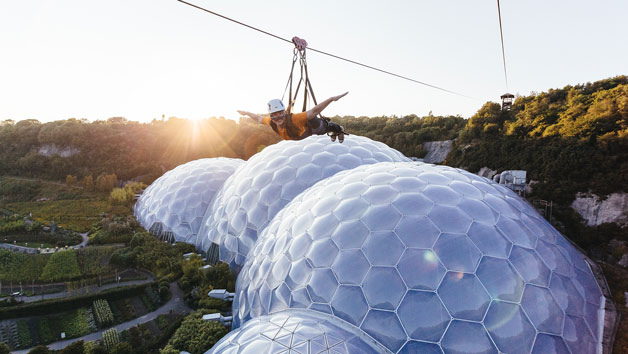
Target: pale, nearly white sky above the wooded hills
(140,59)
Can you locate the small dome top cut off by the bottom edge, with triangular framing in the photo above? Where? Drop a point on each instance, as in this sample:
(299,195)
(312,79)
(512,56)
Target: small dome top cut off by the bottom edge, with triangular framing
(297,332)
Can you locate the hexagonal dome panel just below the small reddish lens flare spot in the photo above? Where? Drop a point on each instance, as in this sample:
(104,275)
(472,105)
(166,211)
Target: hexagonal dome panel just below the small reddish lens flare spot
(464,296)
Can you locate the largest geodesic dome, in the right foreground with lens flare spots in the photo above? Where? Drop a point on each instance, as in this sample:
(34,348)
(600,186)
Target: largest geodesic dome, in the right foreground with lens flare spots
(417,255)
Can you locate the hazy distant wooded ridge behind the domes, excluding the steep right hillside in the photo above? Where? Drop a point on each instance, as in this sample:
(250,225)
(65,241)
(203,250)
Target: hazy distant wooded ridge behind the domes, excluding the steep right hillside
(145,151)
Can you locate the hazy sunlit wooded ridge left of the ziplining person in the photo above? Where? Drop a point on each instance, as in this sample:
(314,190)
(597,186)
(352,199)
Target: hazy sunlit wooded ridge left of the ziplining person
(125,148)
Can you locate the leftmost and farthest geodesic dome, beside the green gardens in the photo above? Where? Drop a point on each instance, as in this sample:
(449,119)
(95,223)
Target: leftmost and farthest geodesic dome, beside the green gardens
(176,202)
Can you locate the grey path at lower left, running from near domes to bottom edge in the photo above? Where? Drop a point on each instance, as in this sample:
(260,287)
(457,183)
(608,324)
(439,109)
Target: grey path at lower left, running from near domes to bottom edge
(175,305)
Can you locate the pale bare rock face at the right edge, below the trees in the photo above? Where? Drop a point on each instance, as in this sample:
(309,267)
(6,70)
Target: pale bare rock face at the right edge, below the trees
(613,209)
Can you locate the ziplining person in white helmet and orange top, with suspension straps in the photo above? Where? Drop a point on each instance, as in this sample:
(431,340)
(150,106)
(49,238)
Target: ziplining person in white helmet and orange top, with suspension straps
(297,126)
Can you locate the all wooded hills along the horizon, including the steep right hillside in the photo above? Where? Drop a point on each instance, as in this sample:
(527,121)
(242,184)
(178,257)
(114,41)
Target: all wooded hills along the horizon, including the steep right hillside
(570,140)
